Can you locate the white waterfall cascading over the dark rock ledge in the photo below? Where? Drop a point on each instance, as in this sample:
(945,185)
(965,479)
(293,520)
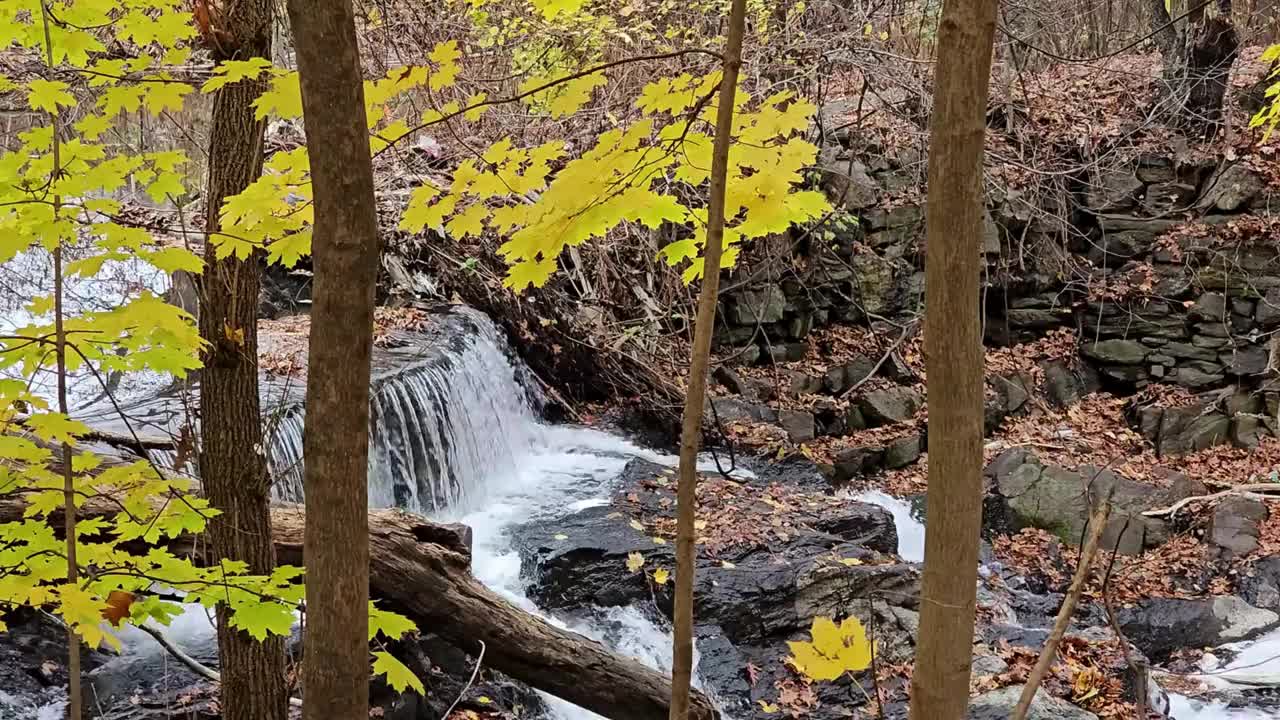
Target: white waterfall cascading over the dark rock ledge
(445,420)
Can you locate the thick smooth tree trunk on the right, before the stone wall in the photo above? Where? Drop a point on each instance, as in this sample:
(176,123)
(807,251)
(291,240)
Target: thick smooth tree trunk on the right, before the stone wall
(954,358)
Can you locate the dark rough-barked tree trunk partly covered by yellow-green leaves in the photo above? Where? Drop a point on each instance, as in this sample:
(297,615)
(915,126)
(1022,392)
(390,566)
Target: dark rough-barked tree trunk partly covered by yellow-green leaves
(232,463)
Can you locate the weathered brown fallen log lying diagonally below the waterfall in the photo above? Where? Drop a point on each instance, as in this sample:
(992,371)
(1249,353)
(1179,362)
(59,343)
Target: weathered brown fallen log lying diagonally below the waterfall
(424,571)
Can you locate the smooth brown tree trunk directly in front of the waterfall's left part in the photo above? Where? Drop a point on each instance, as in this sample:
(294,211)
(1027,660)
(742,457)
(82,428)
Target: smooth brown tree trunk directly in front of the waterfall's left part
(345,265)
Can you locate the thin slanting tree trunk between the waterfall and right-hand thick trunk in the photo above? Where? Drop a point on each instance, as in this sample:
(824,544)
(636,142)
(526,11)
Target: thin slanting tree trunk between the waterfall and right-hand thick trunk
(692,430)
